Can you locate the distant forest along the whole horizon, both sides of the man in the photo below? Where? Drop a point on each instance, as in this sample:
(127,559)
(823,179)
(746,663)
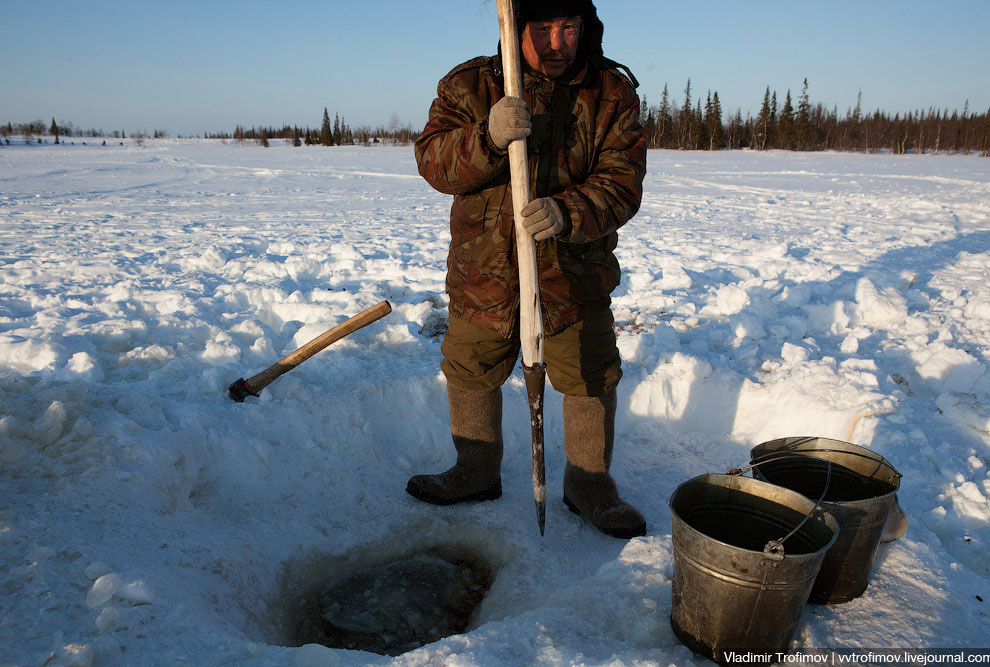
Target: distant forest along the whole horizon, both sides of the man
(689,123)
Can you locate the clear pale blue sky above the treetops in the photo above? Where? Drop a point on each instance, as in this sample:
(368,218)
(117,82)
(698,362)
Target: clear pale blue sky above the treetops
(188,67)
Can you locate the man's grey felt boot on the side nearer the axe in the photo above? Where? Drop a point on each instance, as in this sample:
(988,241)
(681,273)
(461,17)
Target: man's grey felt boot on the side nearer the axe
(476,427)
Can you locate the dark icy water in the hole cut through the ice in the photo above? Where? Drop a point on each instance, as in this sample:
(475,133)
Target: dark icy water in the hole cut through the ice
(395,607)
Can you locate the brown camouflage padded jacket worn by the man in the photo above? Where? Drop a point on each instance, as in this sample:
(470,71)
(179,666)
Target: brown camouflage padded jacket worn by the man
(587,151)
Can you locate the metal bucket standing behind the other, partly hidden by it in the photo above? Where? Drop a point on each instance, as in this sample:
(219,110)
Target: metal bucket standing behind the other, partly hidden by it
(860,495)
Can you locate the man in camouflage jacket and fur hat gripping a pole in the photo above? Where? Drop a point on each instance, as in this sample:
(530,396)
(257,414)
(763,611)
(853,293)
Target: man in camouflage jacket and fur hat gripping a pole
(587,159)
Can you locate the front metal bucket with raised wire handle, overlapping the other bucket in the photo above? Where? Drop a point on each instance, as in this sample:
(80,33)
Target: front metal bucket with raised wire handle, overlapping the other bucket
(732,592)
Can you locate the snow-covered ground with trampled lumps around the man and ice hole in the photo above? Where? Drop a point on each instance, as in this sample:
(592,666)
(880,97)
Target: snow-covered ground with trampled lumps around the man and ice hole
(764,295)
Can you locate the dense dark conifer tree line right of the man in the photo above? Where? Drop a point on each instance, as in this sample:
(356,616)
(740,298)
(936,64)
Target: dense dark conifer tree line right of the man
(802,126)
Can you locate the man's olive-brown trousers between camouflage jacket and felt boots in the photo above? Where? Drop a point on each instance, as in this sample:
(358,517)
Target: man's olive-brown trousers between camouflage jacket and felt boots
(582,360)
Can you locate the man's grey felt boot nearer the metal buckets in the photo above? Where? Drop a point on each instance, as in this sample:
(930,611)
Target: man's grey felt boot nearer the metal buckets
(589,433)
